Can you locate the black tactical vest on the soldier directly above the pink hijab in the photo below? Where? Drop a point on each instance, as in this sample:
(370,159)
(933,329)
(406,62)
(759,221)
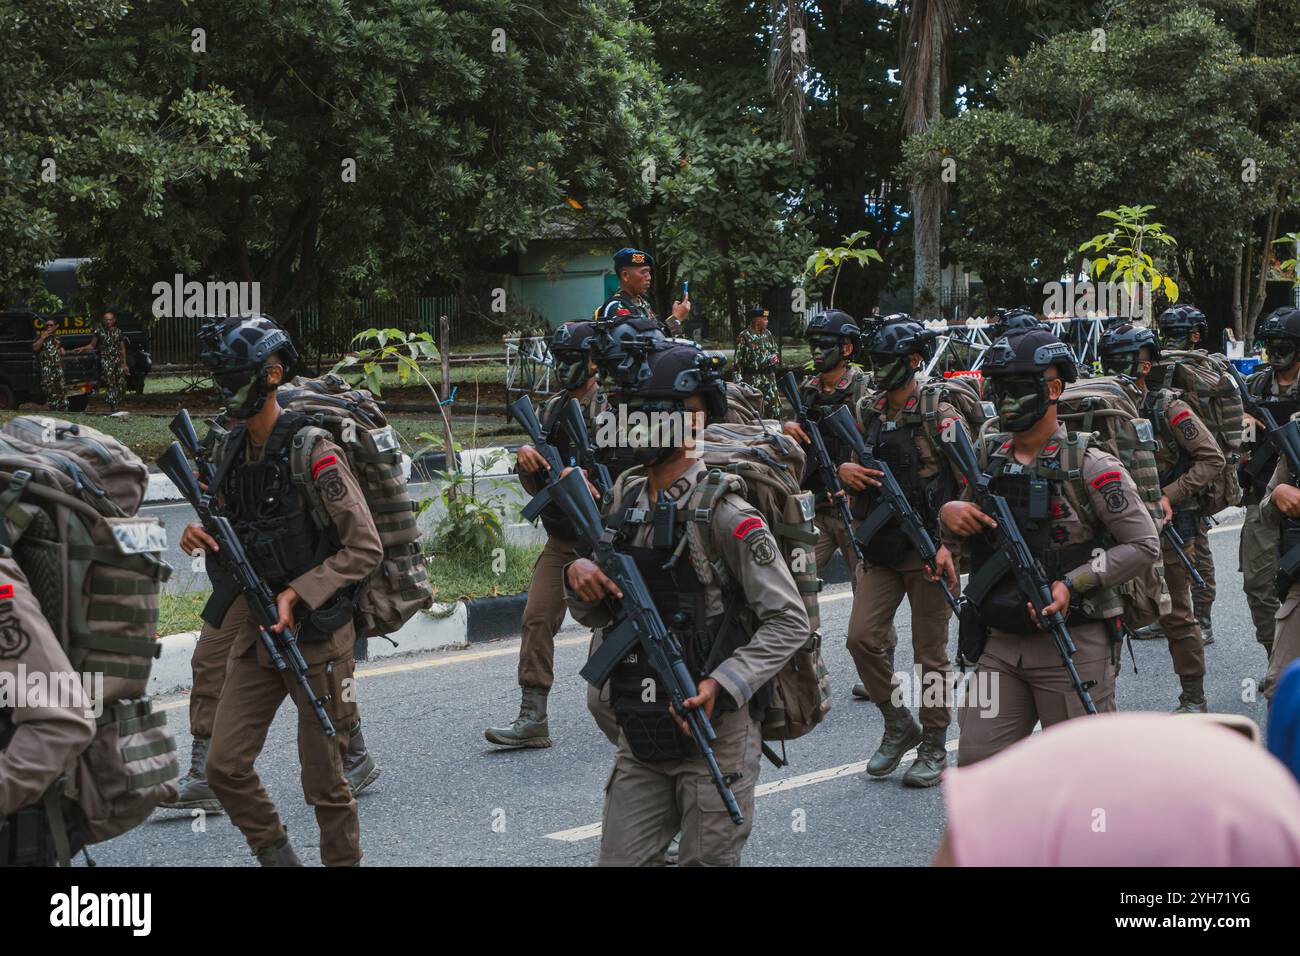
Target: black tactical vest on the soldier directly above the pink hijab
(1030,492)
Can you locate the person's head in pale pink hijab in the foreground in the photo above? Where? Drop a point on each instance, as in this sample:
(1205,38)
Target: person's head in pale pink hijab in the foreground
(1125,790)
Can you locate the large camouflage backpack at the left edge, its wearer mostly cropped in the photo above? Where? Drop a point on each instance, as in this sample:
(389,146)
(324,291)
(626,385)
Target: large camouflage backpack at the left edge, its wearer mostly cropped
(71,498)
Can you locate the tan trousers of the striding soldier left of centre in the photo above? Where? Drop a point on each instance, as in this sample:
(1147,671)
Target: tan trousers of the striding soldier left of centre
(253,694)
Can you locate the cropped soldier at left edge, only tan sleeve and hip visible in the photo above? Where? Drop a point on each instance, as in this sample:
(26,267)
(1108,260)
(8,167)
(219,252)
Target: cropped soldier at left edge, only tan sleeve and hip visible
(40,741)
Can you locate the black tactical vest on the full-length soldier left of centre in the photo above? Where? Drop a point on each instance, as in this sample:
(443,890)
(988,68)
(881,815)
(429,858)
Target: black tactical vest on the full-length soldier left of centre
(272,522)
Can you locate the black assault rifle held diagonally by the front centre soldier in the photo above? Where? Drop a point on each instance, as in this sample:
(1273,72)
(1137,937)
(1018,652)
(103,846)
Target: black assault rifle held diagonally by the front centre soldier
(636,624)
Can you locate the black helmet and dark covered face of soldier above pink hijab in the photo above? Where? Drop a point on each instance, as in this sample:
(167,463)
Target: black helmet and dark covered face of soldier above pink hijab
(1016,366)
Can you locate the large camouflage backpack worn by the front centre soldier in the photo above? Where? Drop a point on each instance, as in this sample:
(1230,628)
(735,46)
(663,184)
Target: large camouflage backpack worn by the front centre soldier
(764,468)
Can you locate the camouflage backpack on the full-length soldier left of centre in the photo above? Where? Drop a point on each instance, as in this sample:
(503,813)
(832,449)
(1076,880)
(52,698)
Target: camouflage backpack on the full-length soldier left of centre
(352,419)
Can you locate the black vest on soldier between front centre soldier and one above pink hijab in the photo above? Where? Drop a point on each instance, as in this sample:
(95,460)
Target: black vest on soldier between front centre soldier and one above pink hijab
(895,444)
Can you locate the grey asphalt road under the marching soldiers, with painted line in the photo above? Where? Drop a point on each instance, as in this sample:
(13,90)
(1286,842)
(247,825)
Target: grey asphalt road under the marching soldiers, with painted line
(447,798)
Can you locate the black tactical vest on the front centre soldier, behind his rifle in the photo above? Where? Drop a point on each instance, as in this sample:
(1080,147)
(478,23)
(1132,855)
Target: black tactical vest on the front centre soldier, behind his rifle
(679,596)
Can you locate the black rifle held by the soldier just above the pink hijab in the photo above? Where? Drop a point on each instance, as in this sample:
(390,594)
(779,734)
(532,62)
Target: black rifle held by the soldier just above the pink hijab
(1013,556)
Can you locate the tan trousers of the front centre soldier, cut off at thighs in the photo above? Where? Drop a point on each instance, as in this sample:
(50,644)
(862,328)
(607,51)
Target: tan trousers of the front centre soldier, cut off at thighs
(648,803)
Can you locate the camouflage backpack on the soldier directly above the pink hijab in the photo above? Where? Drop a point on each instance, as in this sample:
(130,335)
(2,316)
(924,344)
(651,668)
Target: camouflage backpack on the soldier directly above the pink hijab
(1107,410)
